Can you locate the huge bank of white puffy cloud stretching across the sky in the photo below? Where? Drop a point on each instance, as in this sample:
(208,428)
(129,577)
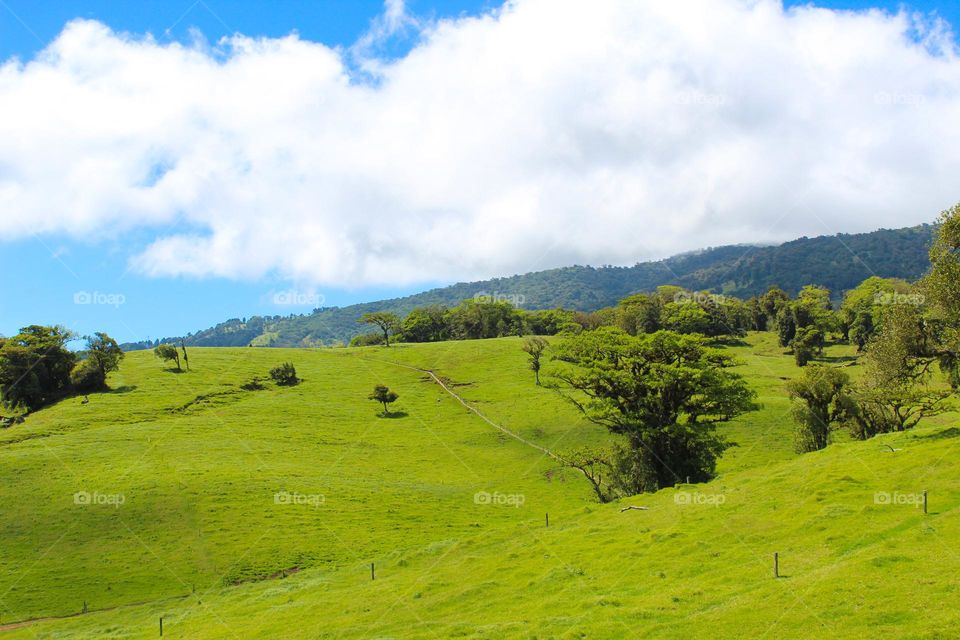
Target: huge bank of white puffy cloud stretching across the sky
(544,133)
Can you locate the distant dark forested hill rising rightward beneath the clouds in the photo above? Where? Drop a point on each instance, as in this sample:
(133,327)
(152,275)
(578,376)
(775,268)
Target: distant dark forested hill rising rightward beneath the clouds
(838,262)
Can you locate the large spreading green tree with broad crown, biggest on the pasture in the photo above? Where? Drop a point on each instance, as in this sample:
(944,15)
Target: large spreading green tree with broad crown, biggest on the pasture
(664,392)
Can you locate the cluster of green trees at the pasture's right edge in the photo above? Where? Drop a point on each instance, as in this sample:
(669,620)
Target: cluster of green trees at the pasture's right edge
(902,338)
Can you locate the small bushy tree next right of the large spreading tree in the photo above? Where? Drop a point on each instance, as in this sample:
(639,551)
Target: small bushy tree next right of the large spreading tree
(820,401)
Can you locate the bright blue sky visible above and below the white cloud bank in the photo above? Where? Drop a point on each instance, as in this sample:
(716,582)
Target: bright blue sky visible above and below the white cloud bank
(87,283)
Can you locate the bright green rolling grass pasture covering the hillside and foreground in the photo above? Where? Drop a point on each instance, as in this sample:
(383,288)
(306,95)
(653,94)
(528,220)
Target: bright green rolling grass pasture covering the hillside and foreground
(186,523)
